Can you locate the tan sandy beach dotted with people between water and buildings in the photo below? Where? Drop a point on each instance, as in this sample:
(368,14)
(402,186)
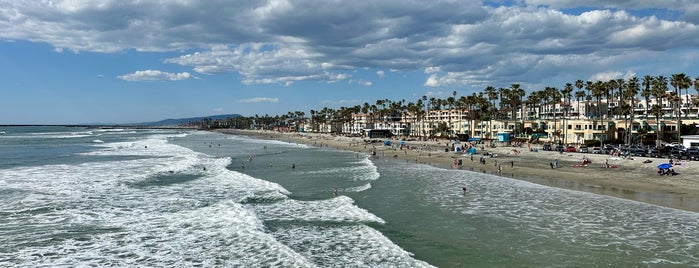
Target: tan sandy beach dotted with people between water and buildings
(631,179)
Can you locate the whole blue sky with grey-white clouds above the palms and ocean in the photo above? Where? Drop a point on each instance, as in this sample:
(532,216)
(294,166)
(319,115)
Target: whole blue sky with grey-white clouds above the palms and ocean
(129,61)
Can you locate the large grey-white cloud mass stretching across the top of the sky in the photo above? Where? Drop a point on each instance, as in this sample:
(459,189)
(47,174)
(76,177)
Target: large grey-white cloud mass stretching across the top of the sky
(285,42)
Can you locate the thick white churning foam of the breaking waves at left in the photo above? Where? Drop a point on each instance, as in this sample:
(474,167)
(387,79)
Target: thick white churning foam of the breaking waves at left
(176,207)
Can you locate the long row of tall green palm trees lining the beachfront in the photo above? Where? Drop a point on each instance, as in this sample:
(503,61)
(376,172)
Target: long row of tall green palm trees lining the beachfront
(503,104)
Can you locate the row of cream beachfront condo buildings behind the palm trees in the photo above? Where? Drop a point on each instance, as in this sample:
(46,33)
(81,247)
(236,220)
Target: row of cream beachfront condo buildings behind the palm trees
(572,122)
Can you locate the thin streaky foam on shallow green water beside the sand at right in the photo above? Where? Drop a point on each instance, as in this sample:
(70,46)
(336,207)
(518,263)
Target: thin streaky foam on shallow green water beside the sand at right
(564,216)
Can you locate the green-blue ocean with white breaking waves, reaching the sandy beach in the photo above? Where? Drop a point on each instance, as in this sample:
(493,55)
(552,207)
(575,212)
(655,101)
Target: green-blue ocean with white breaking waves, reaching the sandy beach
(73,196)
